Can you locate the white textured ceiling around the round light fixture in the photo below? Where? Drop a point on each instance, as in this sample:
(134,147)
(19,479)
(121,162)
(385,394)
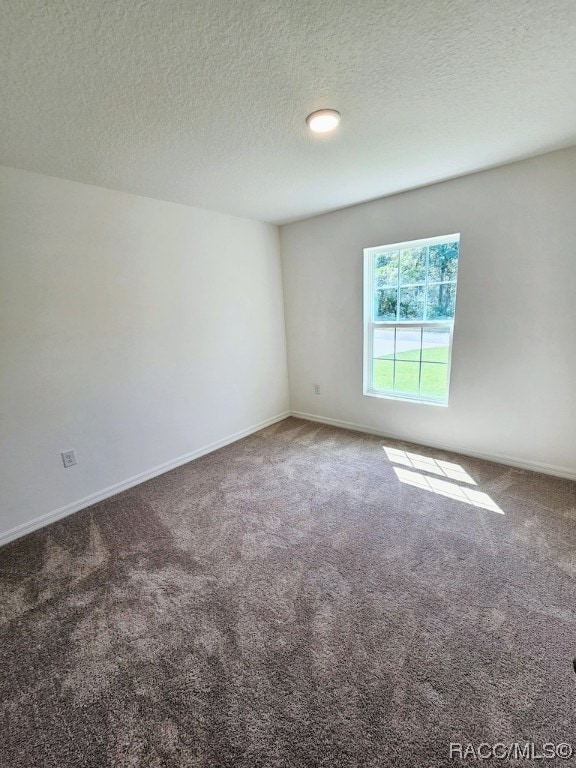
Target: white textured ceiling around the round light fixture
(203,101)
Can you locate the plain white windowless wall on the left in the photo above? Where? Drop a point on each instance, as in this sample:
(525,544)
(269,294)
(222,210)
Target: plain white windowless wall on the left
(131,330)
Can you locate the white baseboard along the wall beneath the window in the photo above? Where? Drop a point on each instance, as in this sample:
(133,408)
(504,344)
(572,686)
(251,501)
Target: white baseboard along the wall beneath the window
(498,458)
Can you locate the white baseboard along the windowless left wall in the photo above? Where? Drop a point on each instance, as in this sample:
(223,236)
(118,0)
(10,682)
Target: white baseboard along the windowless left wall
(112,490)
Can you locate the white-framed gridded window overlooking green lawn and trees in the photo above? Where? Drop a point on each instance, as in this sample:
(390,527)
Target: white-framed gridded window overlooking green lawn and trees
(409,303)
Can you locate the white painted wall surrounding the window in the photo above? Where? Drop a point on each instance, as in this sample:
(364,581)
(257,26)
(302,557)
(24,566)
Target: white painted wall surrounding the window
(513,384)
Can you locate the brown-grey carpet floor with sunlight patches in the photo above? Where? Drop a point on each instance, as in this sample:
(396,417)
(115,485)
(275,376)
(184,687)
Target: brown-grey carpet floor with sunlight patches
(307,596)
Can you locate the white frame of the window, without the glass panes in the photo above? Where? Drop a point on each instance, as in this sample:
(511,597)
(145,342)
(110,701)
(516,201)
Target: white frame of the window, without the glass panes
(370,324)
